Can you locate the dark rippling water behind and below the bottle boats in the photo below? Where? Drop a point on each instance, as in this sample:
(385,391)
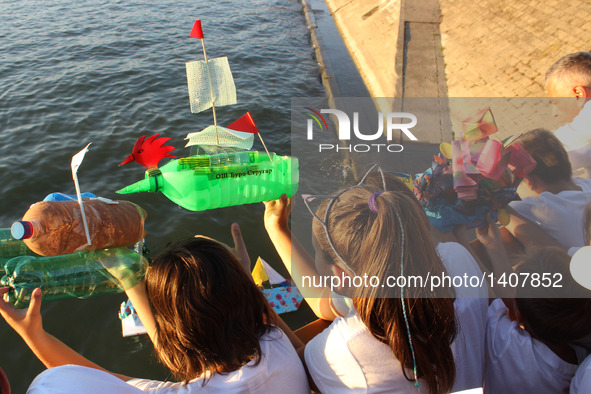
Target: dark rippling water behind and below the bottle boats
(108,72)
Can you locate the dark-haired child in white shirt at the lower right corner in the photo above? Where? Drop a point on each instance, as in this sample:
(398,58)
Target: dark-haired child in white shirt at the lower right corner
(541,349)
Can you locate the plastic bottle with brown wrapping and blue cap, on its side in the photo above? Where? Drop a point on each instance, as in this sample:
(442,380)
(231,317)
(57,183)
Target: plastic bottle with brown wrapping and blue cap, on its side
(52,228)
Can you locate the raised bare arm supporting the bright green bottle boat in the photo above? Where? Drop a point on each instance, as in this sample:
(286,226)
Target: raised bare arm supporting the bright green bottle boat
(295,257)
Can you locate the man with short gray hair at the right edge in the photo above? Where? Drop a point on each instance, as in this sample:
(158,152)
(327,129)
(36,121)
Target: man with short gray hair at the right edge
(568,84)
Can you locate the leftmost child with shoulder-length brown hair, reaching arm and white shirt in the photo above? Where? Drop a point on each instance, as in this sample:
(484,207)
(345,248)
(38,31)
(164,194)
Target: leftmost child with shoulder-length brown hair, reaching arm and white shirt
(210,325)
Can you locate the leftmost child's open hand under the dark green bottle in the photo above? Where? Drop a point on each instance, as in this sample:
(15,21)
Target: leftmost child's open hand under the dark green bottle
(26,322)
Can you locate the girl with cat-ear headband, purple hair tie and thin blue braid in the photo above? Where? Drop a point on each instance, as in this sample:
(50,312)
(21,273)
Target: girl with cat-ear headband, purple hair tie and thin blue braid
(384,339)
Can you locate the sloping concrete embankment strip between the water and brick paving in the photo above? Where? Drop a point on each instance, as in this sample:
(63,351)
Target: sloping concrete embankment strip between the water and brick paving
(396,48)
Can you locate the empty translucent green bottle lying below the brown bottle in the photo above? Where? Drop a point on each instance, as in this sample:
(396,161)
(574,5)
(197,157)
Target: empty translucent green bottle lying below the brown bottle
(83,274)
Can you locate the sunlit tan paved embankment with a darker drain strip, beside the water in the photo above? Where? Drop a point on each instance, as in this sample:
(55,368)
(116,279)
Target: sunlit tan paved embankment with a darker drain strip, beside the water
(464,48)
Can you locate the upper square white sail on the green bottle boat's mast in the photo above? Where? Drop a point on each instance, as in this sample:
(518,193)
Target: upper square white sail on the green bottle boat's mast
(222,82)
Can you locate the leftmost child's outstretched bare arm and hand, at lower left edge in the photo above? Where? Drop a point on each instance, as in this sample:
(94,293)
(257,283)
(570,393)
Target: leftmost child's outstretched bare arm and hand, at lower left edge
(48,349)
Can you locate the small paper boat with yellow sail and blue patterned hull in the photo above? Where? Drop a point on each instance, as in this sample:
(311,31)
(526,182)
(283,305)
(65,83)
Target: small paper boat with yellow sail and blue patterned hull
(283,298)
